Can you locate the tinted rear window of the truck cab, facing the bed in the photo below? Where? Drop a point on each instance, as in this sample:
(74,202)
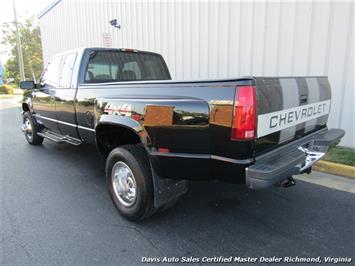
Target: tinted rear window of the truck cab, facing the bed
(113,66)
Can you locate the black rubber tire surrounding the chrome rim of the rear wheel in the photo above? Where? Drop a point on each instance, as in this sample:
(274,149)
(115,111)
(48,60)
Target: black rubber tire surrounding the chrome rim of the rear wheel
(135,157)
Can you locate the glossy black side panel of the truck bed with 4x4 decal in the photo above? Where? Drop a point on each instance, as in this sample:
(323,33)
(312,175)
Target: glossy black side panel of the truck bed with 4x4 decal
(186,117)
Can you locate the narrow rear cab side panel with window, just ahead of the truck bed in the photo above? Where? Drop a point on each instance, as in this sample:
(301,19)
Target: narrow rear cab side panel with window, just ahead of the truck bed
(65,97)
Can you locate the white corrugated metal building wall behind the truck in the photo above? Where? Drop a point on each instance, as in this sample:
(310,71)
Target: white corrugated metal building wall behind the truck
(205,40)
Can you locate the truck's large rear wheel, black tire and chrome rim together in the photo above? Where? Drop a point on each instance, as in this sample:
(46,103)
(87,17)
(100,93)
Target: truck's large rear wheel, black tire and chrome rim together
(129,181)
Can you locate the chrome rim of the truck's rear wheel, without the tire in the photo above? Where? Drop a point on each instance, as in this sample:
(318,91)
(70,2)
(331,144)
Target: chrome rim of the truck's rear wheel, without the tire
(124,184)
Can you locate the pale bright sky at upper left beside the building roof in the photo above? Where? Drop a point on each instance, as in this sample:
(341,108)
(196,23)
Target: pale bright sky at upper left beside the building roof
(25,9)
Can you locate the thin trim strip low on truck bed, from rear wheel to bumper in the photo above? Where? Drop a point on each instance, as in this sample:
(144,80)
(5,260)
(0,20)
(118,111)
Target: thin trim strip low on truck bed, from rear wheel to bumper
(202,156)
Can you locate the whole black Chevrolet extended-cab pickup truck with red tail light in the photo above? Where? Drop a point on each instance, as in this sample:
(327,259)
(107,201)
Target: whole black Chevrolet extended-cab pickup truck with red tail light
(156,133)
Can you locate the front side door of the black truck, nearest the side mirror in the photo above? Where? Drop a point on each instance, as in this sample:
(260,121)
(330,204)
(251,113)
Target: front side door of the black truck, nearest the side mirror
(43,99)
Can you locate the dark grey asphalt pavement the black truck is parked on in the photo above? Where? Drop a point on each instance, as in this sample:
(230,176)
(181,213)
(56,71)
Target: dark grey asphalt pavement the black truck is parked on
(55,210)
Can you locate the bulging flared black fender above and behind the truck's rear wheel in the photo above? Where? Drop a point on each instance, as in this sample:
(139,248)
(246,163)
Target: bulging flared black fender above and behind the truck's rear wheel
(179,124)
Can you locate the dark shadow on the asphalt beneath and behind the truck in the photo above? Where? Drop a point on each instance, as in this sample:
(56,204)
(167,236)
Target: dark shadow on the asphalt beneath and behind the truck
(220,218)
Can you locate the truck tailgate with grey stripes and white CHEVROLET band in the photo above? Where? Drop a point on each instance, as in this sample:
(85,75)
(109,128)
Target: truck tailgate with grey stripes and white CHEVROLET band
(289,108)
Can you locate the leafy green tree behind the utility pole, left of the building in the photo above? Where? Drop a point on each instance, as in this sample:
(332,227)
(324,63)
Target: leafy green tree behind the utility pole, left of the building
(31,46)
